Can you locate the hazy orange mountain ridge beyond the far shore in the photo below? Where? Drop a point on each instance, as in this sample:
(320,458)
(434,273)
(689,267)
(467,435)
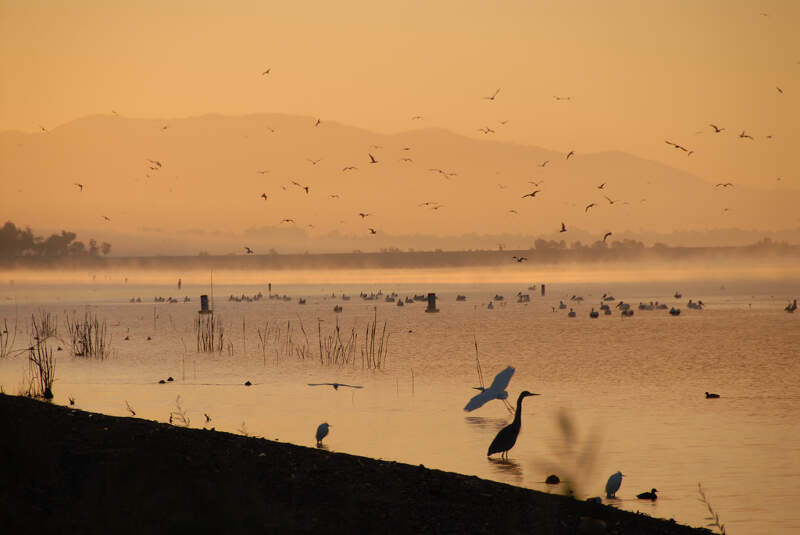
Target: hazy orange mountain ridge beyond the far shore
(203,177)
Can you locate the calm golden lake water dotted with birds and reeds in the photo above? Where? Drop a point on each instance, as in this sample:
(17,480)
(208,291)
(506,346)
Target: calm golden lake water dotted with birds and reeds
(630,389)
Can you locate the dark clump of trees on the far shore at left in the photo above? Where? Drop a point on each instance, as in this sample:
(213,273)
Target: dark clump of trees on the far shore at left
(16,241)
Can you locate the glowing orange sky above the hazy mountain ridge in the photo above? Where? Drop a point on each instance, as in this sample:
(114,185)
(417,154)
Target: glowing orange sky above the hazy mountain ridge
(629,75)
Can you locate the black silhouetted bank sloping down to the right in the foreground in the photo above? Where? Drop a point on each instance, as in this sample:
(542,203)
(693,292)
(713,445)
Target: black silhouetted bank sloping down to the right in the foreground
(69,471)
